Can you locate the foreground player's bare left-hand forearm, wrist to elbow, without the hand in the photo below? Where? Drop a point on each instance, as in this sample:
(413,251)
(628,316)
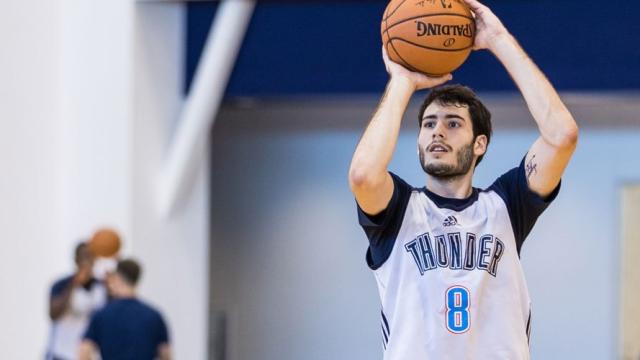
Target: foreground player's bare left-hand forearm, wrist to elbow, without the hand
(375,149)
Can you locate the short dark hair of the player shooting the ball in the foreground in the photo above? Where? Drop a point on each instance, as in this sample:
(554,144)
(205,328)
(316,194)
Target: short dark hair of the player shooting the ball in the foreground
(458,95)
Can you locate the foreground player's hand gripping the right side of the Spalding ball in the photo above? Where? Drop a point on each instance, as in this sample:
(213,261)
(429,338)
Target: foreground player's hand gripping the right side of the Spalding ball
(489,29)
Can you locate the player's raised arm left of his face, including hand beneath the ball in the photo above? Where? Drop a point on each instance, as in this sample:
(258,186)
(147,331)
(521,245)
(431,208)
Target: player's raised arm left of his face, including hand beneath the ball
(368,176)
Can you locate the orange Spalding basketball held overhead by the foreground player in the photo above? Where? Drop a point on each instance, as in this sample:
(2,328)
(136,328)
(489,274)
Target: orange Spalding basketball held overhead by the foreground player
(433,37)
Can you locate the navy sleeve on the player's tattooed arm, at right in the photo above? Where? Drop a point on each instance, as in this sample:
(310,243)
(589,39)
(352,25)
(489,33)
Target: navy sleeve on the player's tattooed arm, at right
(524,206)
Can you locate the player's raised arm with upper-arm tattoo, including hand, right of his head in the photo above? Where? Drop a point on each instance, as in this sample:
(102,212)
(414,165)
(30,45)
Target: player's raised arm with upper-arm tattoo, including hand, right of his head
(550,153)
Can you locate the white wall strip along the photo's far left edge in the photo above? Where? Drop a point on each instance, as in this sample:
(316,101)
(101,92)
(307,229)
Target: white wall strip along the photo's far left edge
(31,246)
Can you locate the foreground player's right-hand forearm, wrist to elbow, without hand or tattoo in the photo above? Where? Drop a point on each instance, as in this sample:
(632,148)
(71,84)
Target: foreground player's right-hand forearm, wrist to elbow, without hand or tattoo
(555,122)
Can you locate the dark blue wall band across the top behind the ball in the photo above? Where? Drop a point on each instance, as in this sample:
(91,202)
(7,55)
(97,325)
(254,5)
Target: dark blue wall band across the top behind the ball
(326,47)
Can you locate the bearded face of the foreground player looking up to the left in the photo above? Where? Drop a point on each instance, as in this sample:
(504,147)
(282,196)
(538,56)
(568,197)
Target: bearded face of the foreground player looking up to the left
(445,141)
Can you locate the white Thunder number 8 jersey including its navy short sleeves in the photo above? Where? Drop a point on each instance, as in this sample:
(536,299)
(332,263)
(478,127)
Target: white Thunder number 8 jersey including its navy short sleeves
(449,274)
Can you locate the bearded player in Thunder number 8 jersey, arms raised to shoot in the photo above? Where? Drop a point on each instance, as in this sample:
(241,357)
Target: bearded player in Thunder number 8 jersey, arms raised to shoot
(446,256)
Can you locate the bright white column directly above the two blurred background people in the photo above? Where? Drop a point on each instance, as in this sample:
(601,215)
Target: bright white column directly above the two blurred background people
(97,116)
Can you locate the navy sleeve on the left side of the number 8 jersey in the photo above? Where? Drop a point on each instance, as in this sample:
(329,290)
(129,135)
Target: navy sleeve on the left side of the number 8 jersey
(382,229)
